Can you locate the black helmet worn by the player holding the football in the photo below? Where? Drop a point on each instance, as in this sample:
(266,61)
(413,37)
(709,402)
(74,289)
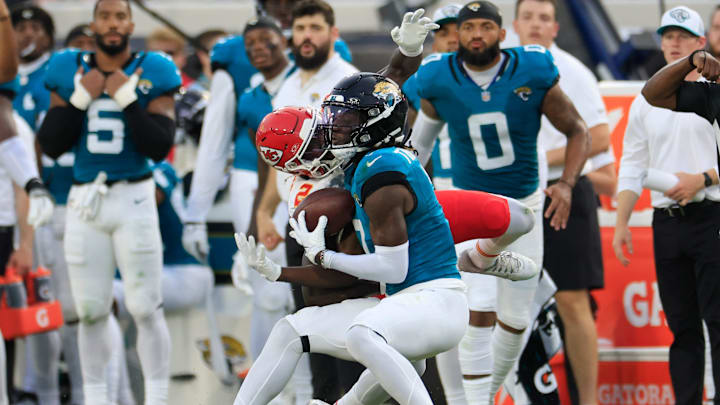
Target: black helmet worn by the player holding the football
(363,111)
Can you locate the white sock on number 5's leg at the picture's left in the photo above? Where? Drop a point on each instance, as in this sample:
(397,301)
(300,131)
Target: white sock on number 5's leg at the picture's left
(95,351)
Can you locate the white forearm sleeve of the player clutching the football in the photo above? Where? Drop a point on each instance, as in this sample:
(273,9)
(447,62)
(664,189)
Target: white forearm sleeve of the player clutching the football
(389,264)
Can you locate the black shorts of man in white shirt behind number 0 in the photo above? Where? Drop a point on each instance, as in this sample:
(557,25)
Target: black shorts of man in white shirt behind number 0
(573,256)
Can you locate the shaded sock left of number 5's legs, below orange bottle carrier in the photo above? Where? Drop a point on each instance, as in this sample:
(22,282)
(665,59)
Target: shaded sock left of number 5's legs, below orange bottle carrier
(45,349)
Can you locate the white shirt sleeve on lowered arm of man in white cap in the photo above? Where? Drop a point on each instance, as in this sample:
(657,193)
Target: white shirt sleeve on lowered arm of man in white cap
(635,158)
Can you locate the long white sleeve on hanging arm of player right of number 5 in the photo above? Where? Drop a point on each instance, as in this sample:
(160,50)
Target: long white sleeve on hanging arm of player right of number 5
(215,140)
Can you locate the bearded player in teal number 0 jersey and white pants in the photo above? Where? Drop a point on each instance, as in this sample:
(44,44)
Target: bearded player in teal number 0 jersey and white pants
(492,101)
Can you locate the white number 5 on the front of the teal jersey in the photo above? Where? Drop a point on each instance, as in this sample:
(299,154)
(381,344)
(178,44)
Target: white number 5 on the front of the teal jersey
(96,123)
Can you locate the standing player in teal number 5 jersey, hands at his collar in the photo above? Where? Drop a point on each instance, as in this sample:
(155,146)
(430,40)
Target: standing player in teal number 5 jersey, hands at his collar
(115,109)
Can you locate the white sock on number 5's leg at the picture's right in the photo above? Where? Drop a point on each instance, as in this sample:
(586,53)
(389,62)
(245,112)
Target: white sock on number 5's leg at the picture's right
(153,347)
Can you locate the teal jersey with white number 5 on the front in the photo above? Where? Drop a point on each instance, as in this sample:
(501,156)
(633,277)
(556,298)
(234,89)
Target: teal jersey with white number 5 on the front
(104,144)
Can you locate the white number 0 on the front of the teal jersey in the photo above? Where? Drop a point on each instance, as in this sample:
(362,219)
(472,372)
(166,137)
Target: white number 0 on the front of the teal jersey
(491,127)
